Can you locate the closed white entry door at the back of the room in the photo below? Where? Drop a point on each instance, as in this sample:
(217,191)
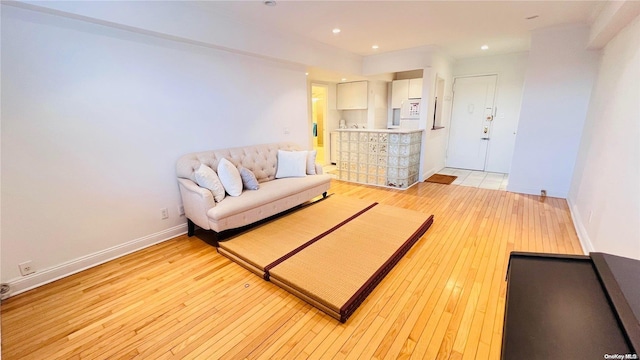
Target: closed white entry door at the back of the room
(471,117)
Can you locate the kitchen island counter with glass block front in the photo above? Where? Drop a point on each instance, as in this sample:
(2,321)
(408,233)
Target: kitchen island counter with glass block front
(382,157)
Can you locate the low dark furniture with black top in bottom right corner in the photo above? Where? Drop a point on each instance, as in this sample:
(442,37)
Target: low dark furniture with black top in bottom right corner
(571,307)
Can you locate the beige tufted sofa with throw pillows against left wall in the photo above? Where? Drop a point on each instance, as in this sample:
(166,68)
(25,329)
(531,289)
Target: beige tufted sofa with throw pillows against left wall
(273,197)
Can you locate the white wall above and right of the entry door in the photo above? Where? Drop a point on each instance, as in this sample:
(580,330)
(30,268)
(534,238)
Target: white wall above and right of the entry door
(511,70)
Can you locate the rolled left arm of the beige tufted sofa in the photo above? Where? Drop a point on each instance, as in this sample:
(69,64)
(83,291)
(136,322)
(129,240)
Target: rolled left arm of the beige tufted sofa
(196,202)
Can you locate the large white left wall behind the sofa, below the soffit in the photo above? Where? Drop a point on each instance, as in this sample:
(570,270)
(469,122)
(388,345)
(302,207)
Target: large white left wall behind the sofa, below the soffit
(93,120)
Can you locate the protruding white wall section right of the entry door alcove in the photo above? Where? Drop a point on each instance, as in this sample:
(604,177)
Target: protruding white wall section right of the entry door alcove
(558,83)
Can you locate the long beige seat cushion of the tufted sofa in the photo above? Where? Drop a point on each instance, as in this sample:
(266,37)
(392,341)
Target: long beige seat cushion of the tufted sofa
(269,192)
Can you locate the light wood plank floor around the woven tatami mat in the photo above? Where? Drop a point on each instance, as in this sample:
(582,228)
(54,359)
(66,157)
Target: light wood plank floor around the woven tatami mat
(180,299)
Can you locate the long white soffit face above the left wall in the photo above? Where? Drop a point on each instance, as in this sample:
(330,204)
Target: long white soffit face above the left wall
(206,26)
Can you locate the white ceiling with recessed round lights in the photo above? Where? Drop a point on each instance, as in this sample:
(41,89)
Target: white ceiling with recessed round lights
(459,28)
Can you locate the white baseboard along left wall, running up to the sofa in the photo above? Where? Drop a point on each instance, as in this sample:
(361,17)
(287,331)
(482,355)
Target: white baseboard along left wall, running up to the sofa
(54,273)
